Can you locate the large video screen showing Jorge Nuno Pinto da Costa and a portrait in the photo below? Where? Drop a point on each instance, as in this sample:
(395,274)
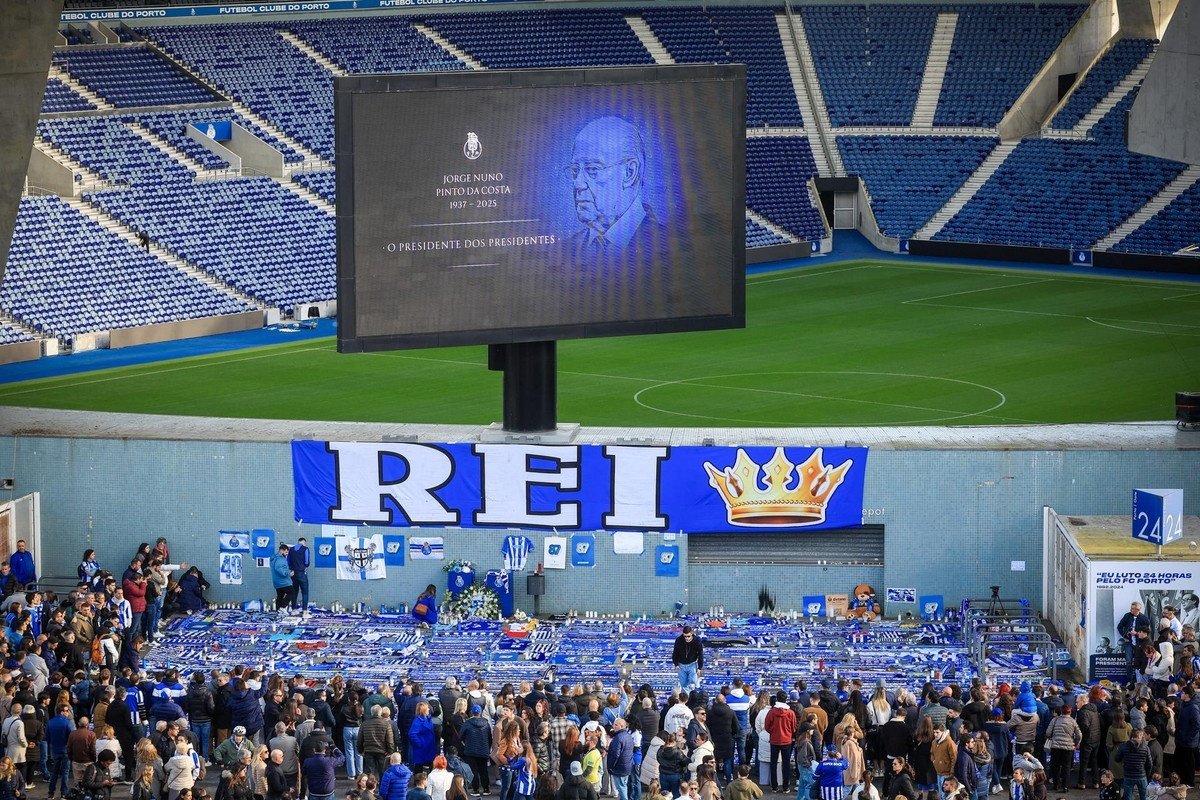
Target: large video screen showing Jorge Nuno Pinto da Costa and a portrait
(539,204)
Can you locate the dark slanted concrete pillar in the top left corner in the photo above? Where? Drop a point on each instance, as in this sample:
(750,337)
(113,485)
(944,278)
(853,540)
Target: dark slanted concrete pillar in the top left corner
(27,40)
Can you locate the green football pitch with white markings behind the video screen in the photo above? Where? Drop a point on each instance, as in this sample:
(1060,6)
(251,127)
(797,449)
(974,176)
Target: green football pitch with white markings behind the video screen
(855,344)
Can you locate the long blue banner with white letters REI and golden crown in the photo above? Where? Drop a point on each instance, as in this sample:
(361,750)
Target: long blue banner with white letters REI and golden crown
(579,488)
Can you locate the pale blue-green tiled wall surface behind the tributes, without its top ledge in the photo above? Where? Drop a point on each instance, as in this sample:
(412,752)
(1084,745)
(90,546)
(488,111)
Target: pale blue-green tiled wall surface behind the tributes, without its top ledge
(955,521)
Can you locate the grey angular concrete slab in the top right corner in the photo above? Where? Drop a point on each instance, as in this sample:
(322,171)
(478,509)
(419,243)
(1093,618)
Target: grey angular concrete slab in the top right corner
(1166,118)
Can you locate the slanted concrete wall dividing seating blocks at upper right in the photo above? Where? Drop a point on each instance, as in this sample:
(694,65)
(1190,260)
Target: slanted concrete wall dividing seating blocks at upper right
(1077,52)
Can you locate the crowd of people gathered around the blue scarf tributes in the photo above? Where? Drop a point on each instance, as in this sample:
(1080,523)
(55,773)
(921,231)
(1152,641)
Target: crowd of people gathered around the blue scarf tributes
(79,712)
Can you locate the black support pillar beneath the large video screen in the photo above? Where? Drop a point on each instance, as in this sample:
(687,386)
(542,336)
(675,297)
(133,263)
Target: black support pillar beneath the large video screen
(531,386)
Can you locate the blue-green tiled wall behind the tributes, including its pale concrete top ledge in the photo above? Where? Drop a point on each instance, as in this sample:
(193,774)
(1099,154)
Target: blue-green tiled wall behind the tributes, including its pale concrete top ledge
(957,518)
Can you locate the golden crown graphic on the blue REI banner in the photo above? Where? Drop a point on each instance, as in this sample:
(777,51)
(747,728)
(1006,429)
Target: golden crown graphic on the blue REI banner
(781,497)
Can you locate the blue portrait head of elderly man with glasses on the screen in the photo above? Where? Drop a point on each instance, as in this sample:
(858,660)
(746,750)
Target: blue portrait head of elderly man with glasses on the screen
(608,173)
